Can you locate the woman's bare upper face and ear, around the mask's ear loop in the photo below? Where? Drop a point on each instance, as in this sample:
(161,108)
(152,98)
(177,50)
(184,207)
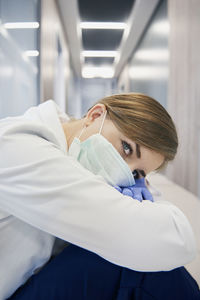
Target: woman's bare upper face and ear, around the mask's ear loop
(139,158)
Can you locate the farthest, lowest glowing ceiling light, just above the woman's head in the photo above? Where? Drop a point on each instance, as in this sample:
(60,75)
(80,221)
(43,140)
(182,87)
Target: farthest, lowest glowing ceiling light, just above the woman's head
(92,72)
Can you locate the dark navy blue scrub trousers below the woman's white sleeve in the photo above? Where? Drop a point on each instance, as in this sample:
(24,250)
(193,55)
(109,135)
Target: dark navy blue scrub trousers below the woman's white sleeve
(78,274)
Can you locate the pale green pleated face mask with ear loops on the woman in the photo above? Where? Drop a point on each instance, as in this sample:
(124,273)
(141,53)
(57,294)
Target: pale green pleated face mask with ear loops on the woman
(99,156)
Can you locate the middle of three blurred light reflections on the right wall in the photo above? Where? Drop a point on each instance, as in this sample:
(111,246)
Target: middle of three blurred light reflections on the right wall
(152,54)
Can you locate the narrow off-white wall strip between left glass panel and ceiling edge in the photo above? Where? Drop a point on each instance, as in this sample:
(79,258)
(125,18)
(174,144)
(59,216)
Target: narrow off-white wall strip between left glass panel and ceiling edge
(54,59)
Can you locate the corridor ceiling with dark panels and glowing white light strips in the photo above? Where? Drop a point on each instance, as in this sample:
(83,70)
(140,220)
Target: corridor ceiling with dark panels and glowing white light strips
(114,46)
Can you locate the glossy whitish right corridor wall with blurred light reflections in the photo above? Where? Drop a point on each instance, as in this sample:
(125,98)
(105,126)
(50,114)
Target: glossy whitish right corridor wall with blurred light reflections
(148,67)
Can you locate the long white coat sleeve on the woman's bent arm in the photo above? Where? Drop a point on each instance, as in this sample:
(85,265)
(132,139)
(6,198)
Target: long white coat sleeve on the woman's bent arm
(44,187)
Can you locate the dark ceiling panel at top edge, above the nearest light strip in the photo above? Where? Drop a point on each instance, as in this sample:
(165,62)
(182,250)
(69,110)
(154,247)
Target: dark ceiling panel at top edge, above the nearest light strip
(104,10)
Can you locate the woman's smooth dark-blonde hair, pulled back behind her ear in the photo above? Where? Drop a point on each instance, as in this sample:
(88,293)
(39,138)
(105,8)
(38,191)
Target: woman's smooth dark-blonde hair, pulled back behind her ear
(145,121)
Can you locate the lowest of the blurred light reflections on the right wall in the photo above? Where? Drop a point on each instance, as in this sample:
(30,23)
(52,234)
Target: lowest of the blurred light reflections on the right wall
(148,72)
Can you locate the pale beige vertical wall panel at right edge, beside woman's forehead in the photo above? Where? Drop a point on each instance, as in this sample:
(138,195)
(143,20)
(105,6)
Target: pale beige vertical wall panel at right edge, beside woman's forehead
(184,90)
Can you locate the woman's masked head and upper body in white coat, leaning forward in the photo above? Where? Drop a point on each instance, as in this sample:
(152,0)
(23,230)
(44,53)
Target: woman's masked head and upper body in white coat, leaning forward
(57,179)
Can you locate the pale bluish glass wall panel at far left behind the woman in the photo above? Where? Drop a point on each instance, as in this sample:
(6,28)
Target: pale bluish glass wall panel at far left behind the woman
(19,87)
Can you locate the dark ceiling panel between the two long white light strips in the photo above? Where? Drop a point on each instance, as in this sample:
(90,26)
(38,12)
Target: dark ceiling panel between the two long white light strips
(101,39)
